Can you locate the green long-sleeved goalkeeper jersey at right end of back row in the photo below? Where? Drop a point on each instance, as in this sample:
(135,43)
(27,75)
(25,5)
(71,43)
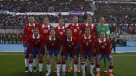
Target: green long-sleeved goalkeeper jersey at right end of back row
(104,27)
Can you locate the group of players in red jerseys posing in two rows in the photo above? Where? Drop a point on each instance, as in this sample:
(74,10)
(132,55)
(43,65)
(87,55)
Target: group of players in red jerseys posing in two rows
(64,42)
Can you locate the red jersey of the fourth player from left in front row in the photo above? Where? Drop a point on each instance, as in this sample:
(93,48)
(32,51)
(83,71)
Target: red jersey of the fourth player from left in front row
(87,44)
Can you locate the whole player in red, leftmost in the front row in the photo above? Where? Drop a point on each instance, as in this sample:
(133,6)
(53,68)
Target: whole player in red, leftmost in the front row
(35,45)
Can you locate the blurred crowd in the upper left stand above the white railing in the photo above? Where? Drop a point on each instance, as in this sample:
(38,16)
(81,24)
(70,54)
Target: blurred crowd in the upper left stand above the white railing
(46,5)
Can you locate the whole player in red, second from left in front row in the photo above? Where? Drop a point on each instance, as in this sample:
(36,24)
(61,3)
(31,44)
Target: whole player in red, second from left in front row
(53,48)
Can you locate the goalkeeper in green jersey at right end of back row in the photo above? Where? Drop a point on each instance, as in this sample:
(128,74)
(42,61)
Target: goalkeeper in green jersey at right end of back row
(102,26)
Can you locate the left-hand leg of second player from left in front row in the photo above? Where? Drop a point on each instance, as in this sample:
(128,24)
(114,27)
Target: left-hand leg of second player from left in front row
(49,62)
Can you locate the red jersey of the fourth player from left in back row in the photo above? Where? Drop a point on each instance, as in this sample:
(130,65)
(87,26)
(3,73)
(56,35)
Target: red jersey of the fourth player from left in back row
(76,30)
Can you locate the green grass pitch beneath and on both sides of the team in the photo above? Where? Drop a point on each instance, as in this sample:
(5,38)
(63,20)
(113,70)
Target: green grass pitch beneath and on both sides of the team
(12,64)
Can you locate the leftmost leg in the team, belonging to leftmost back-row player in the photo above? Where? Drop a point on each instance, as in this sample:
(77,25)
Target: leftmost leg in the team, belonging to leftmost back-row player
(26,59)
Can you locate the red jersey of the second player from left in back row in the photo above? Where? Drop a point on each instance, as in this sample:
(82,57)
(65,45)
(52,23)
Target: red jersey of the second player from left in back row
(45,30)
